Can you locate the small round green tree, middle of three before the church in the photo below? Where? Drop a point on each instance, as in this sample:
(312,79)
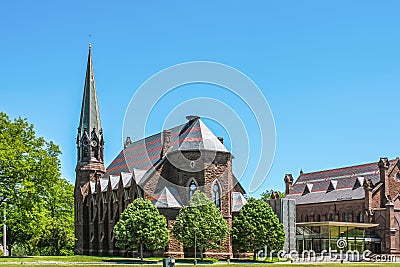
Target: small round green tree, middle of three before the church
(203,219)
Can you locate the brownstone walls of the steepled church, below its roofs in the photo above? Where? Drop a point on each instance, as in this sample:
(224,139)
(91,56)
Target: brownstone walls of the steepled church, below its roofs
(95,219)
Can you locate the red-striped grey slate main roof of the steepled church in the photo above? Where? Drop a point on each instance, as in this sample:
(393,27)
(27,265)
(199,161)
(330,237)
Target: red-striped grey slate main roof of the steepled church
(146,153)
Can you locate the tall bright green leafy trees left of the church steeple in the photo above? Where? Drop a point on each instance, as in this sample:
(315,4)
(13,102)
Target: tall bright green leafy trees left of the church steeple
(29,173)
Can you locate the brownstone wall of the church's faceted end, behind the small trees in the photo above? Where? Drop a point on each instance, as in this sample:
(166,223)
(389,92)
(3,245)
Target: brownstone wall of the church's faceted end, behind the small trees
(213,167)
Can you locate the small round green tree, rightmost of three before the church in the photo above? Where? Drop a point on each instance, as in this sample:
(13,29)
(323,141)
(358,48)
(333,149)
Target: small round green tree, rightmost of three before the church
(257,226)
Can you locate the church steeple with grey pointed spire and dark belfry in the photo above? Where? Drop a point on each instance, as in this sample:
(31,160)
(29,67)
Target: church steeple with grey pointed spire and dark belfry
(89,140)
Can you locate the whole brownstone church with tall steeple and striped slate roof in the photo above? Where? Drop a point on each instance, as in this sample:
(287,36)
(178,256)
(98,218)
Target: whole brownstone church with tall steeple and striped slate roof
(165,168)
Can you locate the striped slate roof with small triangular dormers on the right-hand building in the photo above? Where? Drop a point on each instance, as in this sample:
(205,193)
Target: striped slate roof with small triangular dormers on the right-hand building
(343,184)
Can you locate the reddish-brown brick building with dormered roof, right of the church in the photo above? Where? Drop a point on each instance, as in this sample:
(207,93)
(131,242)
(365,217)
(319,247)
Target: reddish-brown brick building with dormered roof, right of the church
(365,194)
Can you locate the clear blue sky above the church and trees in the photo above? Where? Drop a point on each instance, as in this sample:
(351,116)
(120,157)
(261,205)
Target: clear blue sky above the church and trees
(329,70)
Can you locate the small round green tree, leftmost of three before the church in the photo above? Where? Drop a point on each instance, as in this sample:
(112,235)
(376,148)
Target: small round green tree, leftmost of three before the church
(141,225)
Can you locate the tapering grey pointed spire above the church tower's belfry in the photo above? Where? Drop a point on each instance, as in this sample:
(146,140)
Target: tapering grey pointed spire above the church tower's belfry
(90,114)
